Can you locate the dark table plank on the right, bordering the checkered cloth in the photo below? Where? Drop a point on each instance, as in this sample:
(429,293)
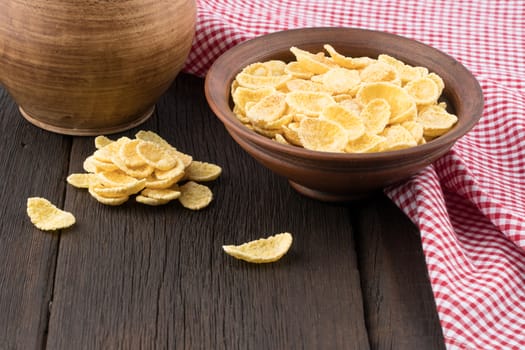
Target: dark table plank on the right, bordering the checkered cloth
(399,305)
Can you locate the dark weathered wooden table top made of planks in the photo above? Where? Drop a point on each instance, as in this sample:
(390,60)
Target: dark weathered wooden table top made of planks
(139,277)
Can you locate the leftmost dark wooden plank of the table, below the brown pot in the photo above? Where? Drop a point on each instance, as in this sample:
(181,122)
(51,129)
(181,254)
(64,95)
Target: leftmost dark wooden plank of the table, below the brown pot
(33,162)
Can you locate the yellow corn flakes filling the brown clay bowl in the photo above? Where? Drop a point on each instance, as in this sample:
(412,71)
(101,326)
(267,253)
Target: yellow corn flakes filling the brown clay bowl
(337,103)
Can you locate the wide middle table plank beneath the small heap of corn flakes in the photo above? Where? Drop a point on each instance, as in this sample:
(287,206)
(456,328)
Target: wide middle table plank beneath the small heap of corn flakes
(141,277)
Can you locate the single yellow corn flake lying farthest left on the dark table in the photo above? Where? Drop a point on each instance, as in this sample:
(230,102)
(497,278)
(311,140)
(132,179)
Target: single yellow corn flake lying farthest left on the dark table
(46,216)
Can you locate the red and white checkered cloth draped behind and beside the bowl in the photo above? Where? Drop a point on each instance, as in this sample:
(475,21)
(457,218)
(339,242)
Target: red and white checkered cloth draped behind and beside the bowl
(469,205)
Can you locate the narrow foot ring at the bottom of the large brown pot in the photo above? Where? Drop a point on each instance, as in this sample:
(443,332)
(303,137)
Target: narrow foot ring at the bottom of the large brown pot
(88,131)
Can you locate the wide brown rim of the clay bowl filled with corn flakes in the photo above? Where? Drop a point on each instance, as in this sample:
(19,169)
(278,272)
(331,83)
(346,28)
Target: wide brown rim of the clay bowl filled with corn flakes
(249,51)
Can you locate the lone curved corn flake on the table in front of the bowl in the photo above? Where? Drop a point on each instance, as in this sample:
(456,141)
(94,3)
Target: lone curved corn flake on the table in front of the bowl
(263,250)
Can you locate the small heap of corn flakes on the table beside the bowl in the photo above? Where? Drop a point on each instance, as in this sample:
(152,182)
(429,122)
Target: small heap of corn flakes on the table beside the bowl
(116,173)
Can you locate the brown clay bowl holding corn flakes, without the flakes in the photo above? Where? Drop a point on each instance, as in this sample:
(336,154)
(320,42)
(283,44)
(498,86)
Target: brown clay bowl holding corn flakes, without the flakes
(342,176)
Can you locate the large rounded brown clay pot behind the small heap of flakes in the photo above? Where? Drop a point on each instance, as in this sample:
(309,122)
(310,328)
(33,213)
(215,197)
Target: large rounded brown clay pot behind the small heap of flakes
(92,67)
